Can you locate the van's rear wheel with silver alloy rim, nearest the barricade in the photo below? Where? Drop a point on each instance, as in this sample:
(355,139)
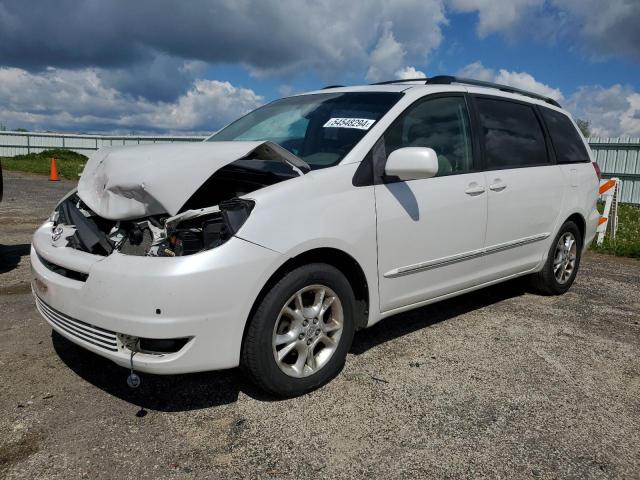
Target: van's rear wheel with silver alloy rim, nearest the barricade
(563,260)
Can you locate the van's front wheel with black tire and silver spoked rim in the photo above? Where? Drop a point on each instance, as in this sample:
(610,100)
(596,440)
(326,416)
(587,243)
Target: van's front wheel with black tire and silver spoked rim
(298,338)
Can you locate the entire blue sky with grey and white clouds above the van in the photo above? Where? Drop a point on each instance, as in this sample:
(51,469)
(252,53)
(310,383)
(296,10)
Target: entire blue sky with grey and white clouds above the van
(155,66)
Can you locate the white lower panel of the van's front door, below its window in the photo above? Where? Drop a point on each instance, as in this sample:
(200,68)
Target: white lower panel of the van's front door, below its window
(428,221)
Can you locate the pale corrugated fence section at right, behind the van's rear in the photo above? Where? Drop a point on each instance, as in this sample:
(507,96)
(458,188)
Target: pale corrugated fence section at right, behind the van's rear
(620,157)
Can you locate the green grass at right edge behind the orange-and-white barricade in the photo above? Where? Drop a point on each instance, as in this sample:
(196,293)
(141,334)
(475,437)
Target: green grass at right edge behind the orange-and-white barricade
(627,242)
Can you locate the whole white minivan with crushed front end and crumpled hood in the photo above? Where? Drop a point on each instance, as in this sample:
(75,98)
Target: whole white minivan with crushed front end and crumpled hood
(269,244)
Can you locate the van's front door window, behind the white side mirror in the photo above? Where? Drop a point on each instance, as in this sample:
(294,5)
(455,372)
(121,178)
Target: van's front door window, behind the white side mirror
(441,124)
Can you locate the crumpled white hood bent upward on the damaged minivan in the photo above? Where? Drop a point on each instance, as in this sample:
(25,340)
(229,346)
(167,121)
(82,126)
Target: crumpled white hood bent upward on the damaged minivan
(123,183)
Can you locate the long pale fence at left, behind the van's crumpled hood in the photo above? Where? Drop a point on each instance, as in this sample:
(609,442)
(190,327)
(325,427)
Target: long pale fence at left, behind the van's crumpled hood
(20,143)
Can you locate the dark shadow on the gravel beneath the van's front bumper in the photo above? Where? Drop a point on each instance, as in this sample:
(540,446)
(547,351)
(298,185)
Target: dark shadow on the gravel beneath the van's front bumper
(166,393)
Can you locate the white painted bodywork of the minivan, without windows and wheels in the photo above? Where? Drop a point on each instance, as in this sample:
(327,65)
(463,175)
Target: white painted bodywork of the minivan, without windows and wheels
(433,238)
